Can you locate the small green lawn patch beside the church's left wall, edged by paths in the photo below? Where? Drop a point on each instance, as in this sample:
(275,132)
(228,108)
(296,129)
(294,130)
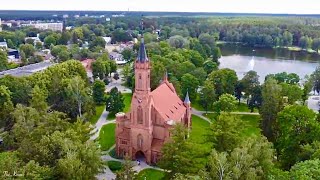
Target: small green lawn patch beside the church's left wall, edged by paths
(107,136)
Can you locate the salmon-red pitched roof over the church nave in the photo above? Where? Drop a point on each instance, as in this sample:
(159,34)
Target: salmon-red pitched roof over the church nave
(168,103)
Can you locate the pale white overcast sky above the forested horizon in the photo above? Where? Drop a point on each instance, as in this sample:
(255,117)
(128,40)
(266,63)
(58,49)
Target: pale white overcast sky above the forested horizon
(242,6)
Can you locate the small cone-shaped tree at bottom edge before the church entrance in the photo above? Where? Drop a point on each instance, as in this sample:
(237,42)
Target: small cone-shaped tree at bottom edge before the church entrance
(126,172)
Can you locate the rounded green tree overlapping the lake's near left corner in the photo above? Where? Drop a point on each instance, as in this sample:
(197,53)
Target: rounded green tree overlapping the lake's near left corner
(224,81)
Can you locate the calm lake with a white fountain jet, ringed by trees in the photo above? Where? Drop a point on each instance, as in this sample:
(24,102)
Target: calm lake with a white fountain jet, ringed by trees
(267,60)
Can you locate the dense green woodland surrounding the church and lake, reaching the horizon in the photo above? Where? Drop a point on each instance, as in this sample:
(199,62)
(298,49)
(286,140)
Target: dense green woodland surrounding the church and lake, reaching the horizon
(45,117)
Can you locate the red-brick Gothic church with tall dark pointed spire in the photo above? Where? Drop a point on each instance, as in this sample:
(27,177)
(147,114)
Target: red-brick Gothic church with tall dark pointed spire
(141,133)
